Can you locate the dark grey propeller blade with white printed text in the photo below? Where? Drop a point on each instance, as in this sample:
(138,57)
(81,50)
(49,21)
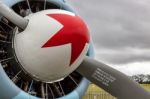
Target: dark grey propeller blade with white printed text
(111,80)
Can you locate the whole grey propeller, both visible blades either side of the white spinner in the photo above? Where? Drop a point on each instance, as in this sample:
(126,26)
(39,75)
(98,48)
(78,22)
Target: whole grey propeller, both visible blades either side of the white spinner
(111,80)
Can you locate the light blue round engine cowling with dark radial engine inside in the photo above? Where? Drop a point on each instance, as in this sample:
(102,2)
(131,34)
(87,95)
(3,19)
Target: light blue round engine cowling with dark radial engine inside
(17,83)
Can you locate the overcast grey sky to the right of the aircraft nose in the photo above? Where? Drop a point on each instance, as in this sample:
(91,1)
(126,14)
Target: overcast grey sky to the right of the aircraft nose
(120,30)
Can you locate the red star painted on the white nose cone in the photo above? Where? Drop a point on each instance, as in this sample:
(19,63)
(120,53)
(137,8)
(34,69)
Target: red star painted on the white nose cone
(74,31)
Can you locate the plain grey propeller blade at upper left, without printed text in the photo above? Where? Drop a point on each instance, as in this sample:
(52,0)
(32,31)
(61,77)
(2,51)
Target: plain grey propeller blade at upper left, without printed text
(12,16)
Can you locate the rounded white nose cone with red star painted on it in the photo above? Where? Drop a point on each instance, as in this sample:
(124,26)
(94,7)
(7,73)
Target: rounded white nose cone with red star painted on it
(53,45)
